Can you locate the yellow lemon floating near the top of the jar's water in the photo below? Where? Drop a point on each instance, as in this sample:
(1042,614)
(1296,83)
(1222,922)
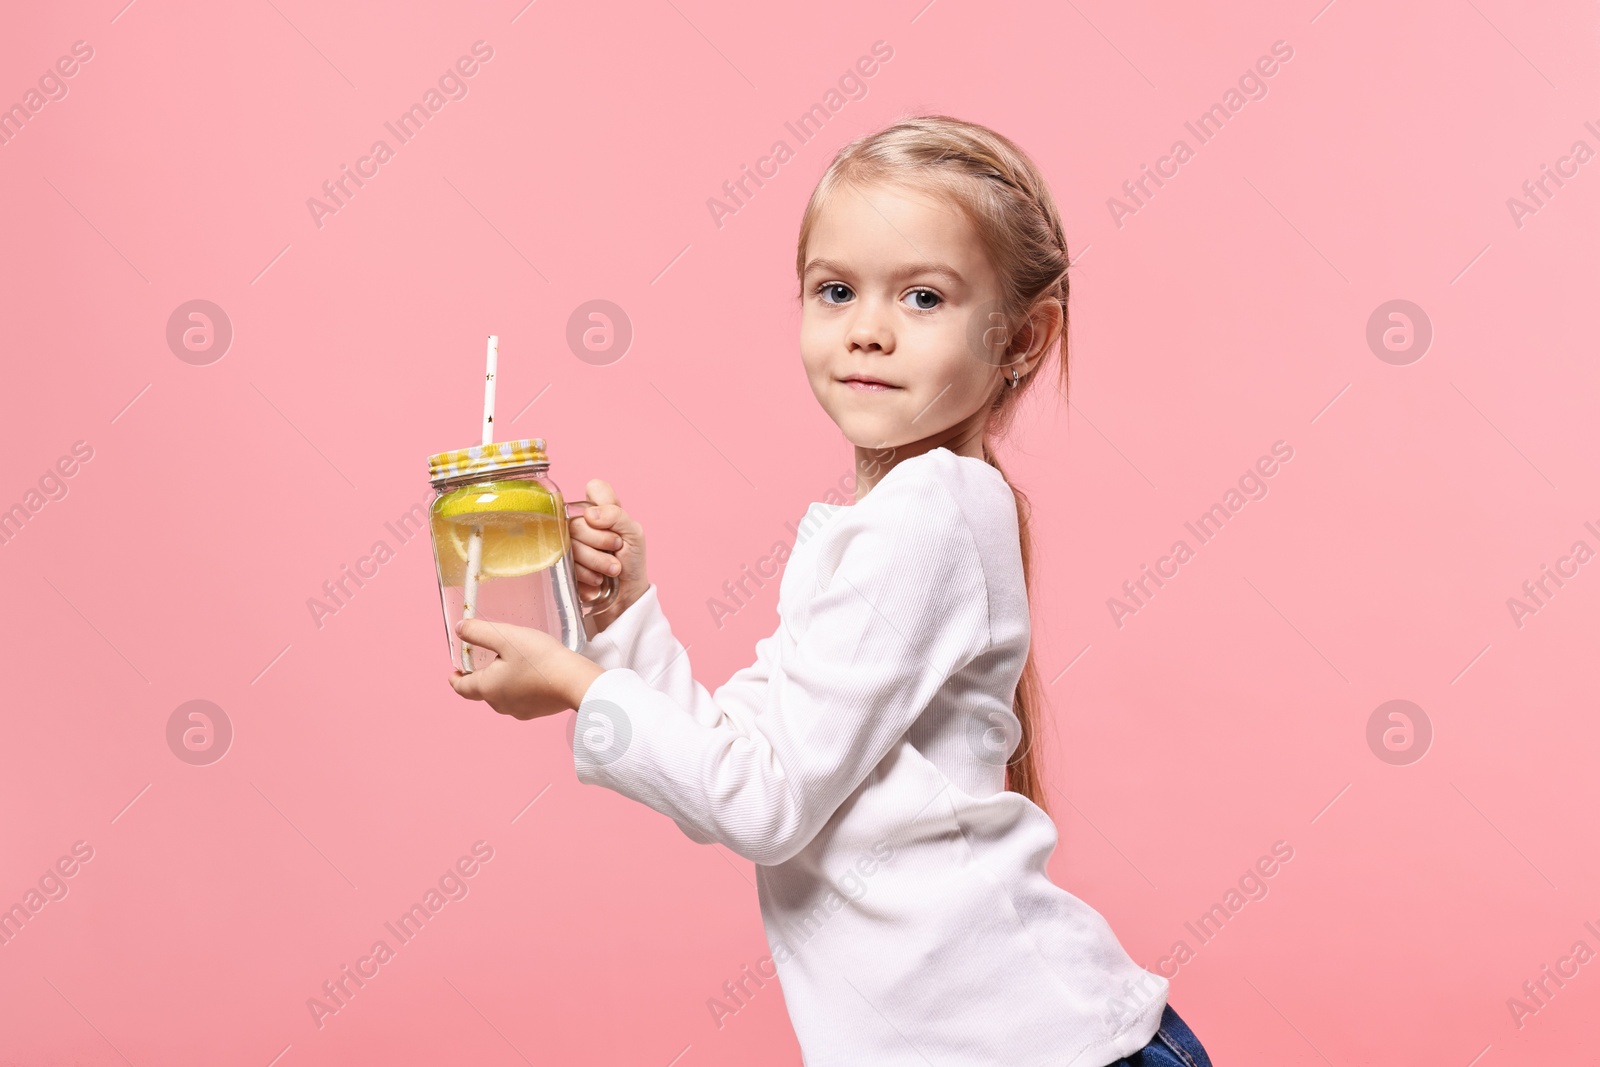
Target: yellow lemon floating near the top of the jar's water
(521,532)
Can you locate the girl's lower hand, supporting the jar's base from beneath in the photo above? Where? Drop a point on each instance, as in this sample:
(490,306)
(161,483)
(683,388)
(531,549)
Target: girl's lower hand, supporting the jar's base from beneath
(532,676)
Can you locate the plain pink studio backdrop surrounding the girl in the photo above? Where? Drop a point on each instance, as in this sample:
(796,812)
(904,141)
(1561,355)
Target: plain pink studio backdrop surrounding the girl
(1226,316)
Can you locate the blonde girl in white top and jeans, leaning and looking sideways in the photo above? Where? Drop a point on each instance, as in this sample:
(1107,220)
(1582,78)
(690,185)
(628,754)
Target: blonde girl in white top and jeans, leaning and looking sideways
(876,759)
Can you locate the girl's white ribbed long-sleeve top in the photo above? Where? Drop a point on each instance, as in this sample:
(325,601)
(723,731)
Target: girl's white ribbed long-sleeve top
(860,764)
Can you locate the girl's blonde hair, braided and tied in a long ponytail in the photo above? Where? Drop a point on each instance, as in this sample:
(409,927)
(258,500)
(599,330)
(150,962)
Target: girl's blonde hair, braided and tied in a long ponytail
(1010,206)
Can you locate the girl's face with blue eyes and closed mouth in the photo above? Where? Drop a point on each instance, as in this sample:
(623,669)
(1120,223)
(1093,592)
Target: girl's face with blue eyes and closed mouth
(892,287)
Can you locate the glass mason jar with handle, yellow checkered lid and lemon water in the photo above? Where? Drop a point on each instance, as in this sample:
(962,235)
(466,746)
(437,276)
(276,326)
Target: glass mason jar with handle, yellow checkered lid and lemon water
(502,546)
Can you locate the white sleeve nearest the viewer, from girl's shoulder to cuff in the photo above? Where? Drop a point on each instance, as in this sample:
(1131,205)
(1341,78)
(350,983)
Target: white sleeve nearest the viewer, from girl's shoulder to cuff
(900,605)
